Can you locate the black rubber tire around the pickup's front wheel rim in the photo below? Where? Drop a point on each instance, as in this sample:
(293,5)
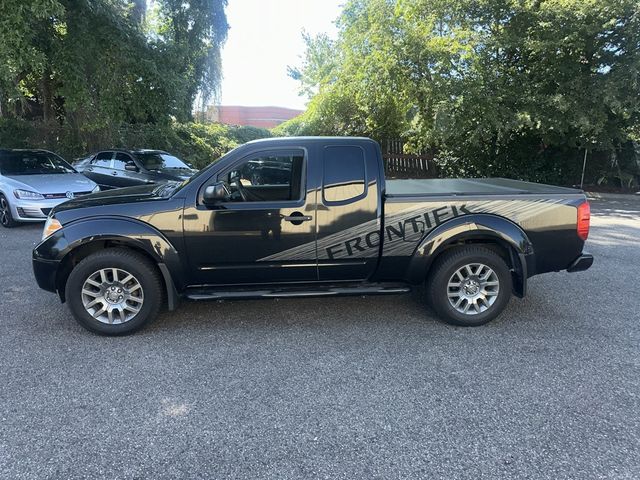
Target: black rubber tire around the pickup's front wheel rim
(145,273)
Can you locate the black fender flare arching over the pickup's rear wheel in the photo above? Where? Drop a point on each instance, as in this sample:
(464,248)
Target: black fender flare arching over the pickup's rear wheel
(475,227)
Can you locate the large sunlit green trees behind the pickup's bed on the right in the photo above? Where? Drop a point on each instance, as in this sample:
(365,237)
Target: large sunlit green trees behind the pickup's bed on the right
(498,87)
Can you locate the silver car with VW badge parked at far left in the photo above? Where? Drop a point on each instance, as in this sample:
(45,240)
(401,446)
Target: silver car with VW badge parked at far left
(32,182)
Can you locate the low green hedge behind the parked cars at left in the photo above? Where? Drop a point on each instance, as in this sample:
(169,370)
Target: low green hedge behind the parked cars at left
(197,143)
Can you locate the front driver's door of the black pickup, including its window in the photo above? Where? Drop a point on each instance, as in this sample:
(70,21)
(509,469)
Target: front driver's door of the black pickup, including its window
(264,231)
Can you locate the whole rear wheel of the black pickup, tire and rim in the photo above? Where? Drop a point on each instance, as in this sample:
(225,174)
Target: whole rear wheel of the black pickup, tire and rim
(473,278)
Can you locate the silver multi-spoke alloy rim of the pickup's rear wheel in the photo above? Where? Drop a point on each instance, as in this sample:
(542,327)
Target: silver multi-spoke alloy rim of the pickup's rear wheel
(473,289)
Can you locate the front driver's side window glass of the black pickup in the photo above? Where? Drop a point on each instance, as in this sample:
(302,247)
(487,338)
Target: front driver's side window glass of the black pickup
(266,178)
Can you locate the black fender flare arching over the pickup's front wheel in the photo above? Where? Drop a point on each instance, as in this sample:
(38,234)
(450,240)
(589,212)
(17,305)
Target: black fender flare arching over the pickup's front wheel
(119,230)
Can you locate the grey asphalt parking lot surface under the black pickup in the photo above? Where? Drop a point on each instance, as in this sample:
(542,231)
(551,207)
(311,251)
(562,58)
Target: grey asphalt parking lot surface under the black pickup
(339,388)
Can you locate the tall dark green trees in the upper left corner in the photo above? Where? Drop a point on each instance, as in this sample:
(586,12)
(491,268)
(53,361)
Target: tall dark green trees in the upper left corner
(91,64)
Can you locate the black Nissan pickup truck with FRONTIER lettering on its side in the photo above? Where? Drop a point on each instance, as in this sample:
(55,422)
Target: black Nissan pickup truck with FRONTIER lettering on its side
(297,217)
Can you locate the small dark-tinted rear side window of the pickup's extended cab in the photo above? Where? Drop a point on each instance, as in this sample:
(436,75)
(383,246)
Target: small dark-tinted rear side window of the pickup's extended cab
(344,174)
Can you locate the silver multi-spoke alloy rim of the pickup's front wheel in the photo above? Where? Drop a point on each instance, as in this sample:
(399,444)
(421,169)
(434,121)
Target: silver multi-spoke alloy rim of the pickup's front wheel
(112,296)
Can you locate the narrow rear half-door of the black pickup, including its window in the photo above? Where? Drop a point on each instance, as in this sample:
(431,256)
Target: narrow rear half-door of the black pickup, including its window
(349,212)
